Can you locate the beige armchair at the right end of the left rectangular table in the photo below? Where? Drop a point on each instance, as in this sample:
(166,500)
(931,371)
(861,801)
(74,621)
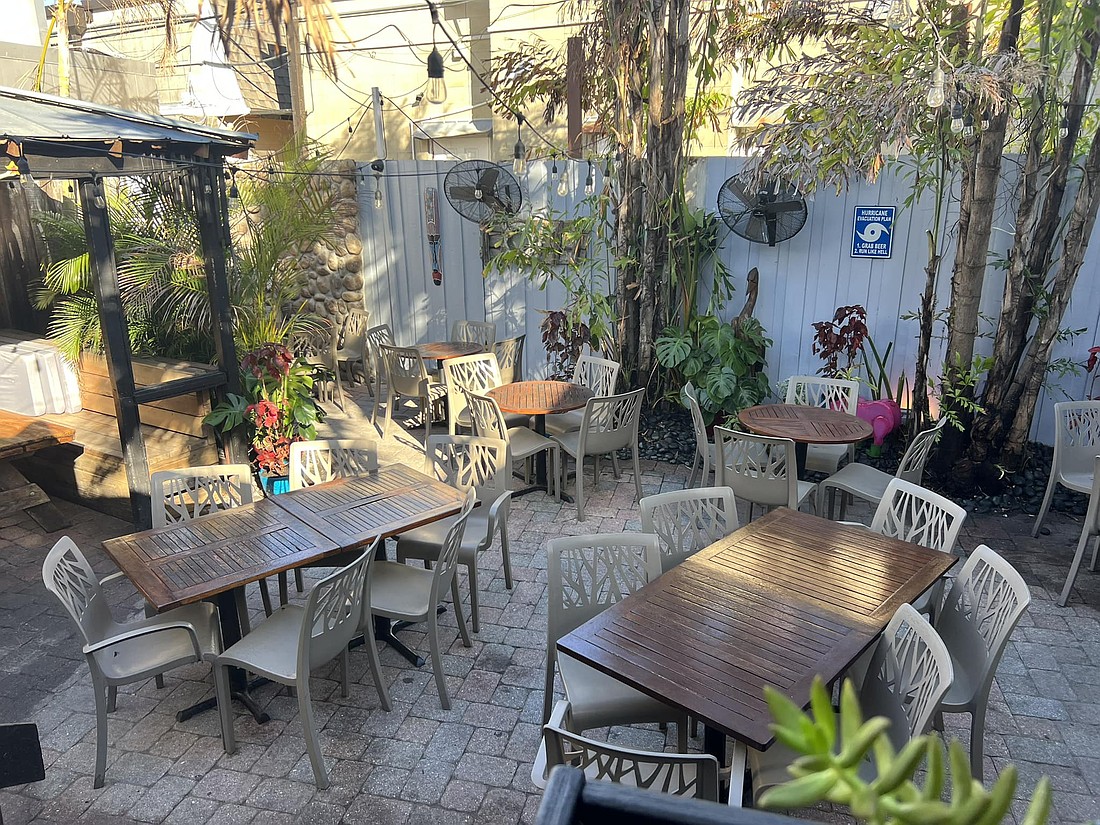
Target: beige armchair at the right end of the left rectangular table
(483,466)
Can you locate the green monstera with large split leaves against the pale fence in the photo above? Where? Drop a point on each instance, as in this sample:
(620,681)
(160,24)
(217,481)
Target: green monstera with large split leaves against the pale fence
(724,361)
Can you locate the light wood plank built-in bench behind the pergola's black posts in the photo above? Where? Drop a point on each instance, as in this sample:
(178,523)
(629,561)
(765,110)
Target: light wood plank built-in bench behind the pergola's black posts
(91,470)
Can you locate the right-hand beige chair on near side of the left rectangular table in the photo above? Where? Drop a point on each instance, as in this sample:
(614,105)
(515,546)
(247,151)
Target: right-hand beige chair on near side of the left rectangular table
(405,593)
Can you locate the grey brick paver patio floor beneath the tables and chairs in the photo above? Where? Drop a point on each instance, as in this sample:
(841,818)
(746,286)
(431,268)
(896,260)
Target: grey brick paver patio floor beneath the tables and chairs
(420,764)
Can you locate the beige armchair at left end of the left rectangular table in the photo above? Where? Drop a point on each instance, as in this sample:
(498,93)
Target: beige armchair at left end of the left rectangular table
(124,654)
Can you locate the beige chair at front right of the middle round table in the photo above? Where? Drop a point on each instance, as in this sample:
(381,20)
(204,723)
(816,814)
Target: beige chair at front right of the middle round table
(609,425)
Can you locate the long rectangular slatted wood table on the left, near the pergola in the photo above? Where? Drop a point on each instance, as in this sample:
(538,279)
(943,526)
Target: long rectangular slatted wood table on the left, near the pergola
(213,556)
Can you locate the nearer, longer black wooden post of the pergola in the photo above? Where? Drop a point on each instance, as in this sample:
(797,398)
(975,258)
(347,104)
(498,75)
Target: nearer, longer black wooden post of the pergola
(117,345)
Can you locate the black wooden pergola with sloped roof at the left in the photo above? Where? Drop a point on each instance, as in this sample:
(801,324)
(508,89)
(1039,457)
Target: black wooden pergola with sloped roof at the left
(73,140)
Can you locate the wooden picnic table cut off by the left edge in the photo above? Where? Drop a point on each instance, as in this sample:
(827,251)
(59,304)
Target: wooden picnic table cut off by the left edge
(23,436)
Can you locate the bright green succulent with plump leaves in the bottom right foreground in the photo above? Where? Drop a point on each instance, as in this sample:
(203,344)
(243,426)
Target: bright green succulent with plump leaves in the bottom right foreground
(833,746)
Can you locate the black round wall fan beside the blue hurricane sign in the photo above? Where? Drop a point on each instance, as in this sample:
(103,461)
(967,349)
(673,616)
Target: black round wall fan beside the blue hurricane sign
(762,210)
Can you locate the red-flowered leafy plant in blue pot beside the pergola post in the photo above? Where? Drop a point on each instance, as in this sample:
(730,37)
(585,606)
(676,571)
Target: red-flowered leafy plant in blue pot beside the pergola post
(279,409)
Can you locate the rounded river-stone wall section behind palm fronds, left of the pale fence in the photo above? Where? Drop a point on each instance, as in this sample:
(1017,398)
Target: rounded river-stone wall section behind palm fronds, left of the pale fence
(334,272)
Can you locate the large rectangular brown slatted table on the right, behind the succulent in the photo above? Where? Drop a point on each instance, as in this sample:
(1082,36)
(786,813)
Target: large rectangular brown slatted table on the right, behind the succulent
(778,602)
